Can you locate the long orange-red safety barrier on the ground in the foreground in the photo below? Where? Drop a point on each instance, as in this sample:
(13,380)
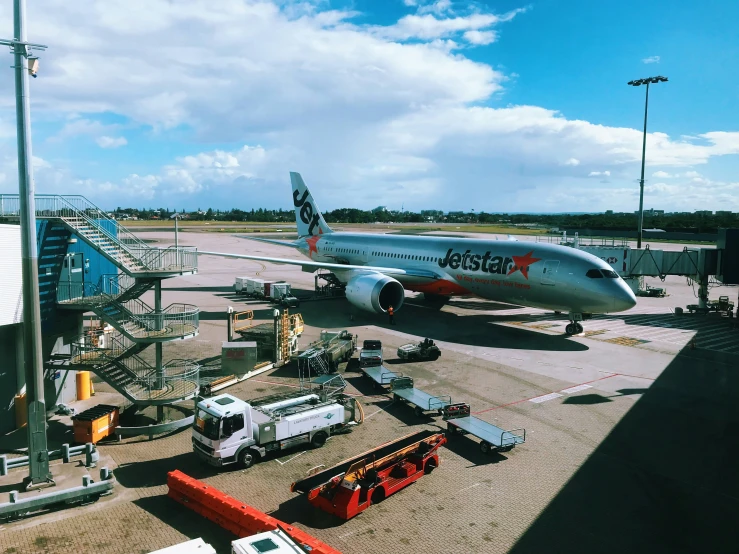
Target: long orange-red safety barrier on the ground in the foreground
(227,512)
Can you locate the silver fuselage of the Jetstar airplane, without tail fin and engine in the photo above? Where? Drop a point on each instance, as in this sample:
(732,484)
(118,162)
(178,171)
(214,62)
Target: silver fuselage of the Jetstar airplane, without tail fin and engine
(531,274)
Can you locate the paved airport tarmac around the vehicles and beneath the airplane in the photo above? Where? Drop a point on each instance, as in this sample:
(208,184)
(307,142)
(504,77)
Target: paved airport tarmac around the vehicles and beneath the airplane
(632,430)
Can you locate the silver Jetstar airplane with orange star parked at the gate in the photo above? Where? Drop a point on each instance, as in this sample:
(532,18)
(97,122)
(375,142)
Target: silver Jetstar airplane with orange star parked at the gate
(377,269)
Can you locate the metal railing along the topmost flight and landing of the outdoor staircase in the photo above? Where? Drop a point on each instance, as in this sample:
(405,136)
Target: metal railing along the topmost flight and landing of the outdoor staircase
(123,242)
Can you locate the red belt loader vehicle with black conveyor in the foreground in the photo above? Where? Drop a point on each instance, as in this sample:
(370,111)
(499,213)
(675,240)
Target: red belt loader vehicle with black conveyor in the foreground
(354,485)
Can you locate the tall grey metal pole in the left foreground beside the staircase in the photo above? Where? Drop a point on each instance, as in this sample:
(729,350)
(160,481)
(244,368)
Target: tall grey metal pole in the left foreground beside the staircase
(26,63)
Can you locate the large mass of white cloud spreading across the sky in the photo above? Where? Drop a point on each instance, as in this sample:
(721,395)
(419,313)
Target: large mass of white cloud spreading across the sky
(364,111)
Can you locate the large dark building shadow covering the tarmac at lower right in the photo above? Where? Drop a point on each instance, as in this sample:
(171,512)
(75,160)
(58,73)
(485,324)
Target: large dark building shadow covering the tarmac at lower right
(665,479)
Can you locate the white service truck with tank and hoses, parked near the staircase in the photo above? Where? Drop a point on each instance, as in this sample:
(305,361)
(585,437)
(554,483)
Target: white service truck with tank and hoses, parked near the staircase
(228,430)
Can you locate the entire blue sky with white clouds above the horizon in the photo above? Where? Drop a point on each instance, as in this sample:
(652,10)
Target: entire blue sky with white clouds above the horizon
(500,106)
